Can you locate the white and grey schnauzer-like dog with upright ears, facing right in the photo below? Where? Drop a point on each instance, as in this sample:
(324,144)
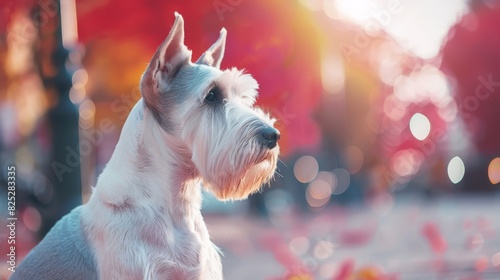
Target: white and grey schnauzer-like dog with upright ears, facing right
(195,126)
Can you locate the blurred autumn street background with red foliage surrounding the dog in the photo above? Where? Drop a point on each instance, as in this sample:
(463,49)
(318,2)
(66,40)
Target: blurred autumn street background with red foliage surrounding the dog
(389,113)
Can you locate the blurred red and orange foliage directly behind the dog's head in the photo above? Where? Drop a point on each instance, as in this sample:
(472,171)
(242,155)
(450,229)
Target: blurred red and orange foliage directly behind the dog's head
(275,41)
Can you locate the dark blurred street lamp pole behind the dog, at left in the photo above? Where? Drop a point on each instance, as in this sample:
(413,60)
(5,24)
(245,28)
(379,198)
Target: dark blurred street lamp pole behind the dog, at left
(63,118)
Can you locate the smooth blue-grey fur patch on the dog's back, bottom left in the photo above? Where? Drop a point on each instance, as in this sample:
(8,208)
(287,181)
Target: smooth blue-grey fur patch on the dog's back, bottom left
(63,254)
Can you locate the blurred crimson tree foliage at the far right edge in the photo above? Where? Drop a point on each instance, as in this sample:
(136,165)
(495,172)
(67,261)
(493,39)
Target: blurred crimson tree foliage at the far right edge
(472,58)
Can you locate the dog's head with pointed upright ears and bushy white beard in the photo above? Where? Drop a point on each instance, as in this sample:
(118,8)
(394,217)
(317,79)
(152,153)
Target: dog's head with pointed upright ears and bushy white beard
(211,112)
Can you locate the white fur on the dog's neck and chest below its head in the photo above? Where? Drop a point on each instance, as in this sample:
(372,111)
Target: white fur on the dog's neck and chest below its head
(160,236)
